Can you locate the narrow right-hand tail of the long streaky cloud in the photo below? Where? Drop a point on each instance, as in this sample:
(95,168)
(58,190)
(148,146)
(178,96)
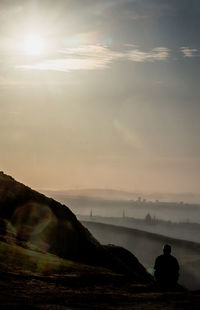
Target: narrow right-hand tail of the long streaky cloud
(158,53)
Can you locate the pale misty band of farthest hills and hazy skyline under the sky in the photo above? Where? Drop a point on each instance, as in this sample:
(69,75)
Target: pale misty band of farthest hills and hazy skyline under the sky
(107,207)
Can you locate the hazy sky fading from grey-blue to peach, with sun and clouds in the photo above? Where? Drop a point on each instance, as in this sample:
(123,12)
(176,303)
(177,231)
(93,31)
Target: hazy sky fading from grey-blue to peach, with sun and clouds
(106,95)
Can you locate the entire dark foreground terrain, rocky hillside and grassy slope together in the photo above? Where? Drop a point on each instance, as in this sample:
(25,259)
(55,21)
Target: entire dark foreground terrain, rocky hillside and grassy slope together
(49,260)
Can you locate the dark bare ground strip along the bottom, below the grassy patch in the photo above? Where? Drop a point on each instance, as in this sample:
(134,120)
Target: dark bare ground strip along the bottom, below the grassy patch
(72,291)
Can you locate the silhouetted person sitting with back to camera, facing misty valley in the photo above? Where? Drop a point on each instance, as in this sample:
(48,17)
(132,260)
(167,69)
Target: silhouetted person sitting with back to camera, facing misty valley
(166,268)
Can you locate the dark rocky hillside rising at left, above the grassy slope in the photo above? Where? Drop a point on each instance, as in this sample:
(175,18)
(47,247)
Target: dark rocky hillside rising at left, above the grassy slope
(32,220)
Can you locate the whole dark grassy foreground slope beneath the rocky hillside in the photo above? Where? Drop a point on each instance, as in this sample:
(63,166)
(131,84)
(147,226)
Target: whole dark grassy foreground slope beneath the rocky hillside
(35,280)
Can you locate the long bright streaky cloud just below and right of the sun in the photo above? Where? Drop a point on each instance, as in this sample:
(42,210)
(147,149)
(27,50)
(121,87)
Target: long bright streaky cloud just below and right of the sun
(94,57)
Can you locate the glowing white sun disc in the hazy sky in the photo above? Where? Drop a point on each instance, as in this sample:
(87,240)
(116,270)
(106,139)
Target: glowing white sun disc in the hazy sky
(34,45)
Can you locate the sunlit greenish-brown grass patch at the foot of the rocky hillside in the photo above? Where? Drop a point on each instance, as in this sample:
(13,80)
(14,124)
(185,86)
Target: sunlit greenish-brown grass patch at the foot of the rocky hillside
(15,258)
